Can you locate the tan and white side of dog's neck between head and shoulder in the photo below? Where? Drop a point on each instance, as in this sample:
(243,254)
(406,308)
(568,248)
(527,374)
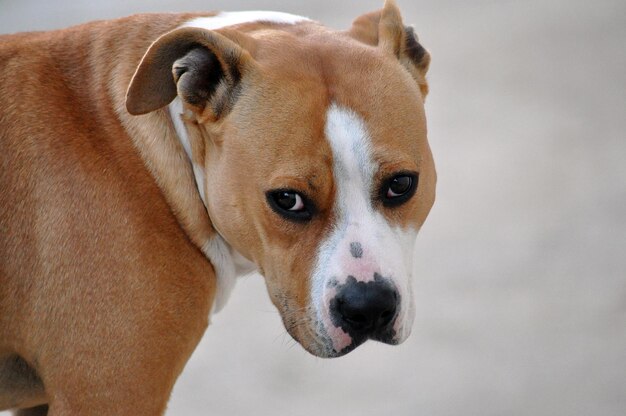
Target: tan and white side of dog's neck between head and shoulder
(162,140)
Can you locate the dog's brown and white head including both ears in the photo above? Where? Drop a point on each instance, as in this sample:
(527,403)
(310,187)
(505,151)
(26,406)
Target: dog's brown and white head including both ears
(314,160)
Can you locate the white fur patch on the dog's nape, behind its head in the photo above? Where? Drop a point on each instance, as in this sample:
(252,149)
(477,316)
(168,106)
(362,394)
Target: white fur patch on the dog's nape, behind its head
(225,19)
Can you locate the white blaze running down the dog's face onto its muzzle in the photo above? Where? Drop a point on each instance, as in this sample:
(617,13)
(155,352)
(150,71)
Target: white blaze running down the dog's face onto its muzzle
(386,250)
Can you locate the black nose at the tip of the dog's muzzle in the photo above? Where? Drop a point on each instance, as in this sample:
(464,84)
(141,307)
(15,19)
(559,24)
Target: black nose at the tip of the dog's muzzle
(365,308)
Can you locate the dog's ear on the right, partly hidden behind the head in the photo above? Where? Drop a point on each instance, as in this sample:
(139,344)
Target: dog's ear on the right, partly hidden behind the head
(384,28)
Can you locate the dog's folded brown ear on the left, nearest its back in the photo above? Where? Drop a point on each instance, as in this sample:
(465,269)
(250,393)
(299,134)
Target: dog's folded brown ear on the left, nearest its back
(204,68)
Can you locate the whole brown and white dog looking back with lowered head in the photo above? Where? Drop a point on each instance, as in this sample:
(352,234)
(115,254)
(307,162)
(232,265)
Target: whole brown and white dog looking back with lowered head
(147,161)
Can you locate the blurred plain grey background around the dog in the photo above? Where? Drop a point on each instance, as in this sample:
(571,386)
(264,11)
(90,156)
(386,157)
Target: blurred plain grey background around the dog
(521,276)
